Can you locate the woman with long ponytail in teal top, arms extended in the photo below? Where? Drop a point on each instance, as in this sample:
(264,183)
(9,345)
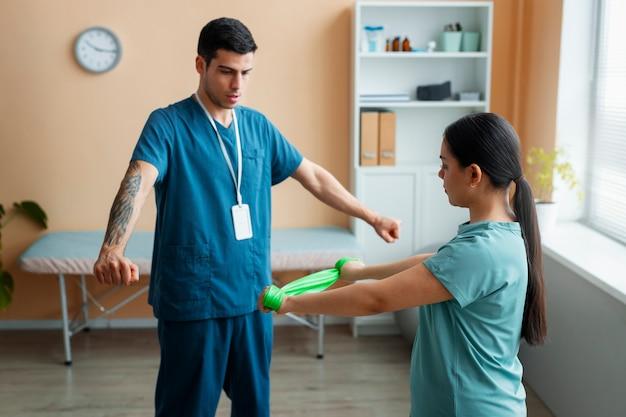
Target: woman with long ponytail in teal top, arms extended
(481,293)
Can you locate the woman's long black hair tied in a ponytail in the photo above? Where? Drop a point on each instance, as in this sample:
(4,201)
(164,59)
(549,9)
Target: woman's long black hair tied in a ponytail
(489,141)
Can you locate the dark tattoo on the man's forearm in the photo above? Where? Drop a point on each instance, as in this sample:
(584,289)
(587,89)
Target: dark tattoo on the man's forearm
(123,205)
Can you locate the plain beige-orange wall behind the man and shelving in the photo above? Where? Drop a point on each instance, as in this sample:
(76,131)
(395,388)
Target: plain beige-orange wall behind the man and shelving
(66,136)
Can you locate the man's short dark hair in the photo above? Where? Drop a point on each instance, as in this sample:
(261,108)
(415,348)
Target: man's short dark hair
(225,33)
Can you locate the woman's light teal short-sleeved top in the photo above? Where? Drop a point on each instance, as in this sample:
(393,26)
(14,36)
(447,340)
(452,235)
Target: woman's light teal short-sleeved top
(464,361)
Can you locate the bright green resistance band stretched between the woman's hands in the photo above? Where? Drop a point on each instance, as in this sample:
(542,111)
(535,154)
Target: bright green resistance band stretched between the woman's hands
(313,283)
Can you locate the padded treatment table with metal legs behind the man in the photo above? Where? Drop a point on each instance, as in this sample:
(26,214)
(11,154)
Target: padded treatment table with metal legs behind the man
(74,254)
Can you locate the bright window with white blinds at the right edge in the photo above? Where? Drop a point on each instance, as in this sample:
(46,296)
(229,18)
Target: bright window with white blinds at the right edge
(606,196)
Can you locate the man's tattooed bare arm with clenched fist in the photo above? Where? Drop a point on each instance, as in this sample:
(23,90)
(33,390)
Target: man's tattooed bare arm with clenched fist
(112,267)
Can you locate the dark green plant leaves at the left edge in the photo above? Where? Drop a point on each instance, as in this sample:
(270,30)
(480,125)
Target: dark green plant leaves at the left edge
(32,211)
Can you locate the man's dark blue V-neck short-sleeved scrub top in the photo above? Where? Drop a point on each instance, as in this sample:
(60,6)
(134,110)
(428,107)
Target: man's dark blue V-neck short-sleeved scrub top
(199,269)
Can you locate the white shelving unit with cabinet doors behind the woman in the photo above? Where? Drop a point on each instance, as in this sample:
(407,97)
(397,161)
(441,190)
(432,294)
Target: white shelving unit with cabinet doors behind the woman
(411,190)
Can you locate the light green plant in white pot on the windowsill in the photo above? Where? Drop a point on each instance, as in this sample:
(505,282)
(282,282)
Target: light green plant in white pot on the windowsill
(544,165)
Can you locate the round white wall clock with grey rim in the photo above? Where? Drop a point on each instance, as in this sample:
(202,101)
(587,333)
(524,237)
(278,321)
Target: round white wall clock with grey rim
(97,49)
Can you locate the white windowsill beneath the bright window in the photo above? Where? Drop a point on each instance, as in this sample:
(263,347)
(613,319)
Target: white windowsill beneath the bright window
(595,257)
